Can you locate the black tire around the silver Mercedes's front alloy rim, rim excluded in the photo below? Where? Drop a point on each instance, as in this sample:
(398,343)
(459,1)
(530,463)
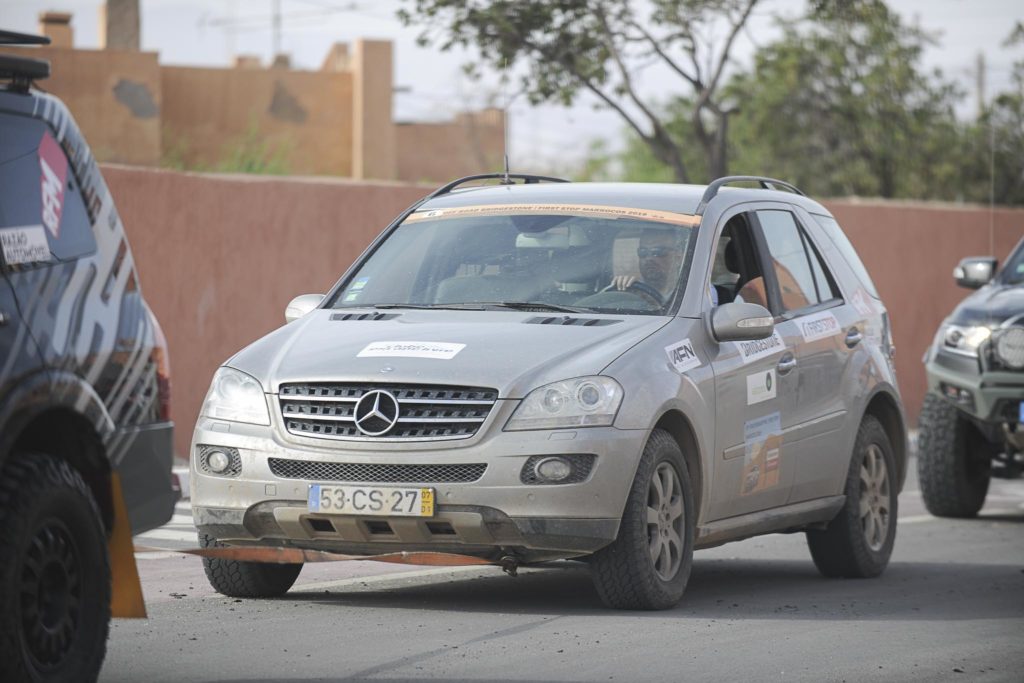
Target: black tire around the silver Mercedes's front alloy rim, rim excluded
(624,573)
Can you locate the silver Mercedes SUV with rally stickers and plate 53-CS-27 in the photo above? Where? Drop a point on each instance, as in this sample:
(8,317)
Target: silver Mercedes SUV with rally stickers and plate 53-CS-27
(542,370)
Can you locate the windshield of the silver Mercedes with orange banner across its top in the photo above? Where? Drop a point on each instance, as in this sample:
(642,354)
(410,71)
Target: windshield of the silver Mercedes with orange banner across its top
(536,258)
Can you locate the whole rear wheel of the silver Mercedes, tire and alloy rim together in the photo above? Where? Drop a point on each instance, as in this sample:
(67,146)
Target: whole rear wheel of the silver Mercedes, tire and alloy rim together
(859,542)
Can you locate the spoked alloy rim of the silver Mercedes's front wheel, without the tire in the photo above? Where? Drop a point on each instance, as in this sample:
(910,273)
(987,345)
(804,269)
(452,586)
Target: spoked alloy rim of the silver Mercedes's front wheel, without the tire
(665,522)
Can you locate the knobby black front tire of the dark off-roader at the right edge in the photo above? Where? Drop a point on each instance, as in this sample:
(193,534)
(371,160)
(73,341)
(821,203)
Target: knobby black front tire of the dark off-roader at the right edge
(954,477)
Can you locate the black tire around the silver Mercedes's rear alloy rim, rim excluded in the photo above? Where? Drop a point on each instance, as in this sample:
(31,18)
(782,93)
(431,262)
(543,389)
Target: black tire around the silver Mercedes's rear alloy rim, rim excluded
(842,550)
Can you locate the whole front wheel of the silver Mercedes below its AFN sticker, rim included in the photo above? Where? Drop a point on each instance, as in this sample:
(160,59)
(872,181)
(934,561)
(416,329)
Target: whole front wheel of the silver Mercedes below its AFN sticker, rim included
(649,565)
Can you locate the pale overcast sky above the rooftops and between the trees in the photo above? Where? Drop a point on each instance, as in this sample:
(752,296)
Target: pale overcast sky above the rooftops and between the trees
(211,32)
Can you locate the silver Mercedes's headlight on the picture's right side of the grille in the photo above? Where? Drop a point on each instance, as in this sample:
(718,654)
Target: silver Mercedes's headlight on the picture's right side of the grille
(585,402)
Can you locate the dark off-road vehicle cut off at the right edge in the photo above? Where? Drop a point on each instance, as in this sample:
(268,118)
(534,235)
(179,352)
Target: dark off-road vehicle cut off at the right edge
(972,422)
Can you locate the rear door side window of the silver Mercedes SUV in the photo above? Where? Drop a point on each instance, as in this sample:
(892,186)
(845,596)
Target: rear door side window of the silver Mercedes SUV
(799,272)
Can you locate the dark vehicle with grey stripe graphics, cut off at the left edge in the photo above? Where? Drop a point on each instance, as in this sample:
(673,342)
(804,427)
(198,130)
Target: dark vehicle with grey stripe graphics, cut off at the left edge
(84,391)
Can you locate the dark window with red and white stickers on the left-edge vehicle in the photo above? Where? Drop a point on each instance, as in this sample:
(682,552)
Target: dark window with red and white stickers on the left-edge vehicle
(42,216)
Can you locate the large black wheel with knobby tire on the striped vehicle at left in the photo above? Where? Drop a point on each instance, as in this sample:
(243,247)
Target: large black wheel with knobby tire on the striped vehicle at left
(55,574)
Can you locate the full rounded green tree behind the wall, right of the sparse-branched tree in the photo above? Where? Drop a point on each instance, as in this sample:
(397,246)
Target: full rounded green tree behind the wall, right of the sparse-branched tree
(842,106)
